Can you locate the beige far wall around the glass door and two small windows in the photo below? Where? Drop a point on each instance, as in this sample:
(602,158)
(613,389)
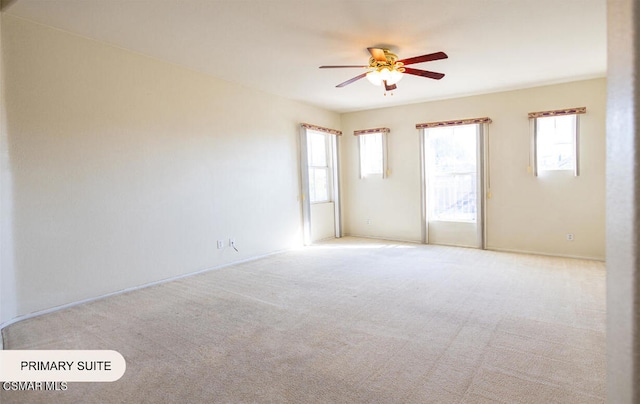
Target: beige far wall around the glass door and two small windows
(525,213)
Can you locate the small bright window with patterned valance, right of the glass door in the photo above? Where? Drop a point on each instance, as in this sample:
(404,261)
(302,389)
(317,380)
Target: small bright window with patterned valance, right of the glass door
(555,140)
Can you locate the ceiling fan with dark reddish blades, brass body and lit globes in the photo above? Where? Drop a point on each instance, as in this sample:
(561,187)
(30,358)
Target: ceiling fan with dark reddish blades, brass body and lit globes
(388,70)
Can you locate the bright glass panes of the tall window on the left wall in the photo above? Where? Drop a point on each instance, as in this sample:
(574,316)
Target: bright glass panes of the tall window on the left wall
(319,160)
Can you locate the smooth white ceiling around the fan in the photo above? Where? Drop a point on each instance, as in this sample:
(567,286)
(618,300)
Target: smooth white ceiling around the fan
(277,45)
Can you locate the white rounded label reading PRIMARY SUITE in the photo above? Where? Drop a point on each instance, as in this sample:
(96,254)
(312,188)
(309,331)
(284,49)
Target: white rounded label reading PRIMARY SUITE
(61,366)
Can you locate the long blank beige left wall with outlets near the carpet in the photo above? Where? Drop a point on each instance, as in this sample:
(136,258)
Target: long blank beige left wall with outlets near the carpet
(126,169)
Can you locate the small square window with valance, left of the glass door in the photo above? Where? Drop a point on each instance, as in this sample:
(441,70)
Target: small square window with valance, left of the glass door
(373,151)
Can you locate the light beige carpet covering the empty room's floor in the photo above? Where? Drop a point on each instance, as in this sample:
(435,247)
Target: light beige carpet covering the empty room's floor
(348,321)
